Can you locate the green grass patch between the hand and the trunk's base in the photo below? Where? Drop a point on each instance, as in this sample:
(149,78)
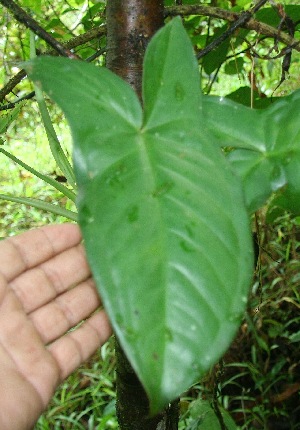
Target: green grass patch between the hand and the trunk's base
(86,400)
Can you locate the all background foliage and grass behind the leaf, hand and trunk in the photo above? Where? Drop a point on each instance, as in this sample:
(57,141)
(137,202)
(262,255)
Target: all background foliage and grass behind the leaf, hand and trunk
(258,379)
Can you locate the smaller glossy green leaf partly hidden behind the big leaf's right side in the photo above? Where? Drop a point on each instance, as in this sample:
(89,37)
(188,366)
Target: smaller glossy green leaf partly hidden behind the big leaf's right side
(267,142)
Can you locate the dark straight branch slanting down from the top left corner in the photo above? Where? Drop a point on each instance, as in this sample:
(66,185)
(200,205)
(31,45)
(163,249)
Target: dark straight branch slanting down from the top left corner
(21,16)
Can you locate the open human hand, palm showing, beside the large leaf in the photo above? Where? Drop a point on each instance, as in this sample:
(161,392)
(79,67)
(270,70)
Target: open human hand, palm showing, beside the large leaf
(45,289)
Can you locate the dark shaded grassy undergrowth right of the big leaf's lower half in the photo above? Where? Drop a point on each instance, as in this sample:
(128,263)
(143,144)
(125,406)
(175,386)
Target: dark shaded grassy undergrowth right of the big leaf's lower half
(259,382)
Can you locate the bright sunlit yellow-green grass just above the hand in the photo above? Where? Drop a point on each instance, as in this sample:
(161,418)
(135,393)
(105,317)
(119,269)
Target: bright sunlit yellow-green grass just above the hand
(26,140)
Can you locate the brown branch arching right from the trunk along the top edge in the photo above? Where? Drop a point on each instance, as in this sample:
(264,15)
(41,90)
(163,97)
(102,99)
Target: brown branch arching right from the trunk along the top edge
(252,24)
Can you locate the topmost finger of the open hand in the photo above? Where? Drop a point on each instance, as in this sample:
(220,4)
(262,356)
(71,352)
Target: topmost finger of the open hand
(29,249)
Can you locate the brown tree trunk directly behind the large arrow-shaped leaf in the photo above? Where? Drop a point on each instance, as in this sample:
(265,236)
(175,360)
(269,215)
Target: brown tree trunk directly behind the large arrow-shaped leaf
(130,25)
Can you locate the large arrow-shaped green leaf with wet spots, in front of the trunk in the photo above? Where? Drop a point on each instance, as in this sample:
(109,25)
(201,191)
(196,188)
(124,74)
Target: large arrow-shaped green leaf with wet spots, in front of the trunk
(165,227)
